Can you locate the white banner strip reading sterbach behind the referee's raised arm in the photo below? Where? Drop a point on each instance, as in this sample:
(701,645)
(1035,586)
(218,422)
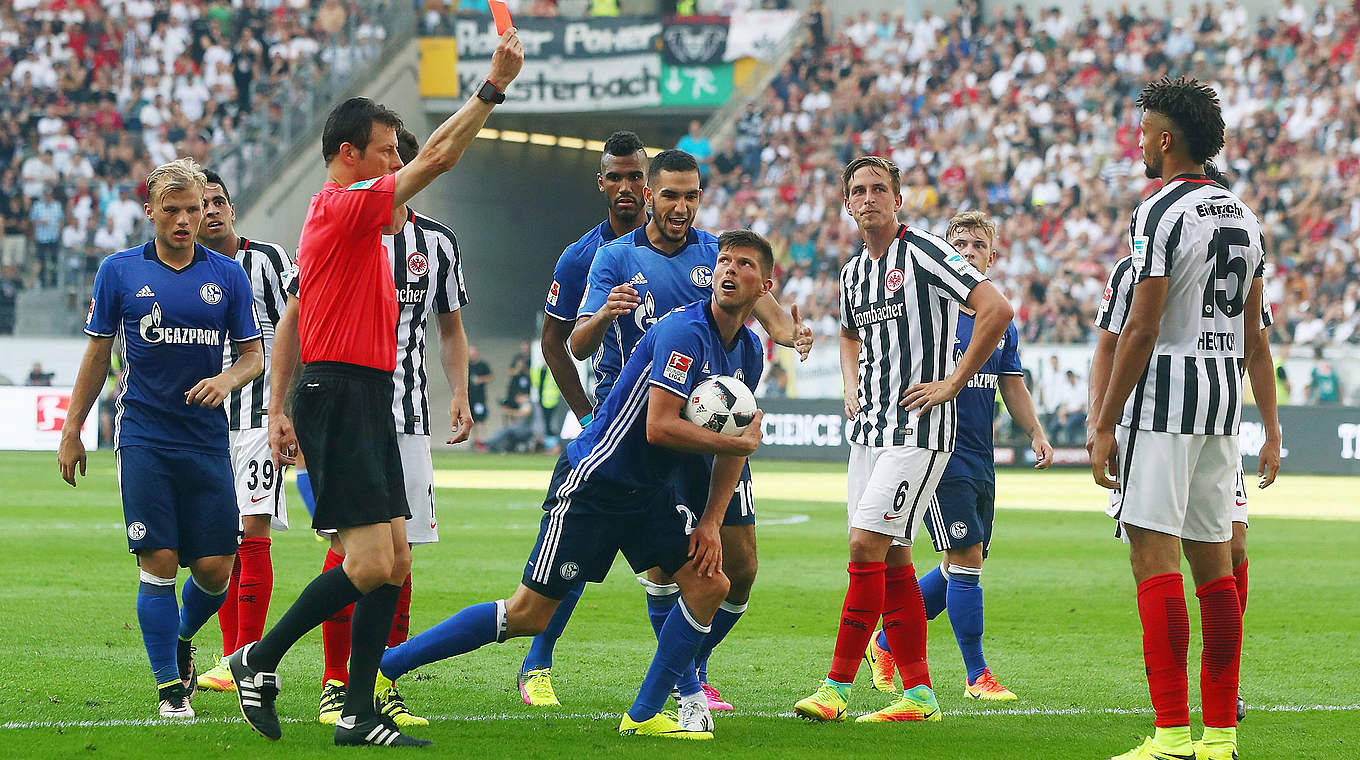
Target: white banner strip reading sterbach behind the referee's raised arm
(571,86)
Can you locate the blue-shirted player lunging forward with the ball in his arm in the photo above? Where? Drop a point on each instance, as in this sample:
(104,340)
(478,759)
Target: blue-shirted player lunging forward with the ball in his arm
(614,491)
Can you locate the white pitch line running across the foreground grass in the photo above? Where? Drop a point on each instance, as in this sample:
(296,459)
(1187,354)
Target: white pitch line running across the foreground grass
(1027,712)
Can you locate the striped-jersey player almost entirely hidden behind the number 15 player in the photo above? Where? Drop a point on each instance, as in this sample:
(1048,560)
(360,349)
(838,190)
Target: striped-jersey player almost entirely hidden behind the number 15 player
(1110,319)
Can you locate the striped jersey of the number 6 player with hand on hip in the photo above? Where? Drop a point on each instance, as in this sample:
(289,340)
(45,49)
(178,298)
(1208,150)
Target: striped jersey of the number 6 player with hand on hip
(905,308)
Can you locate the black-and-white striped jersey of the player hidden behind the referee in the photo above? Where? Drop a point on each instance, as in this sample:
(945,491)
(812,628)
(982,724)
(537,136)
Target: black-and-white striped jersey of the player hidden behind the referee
(428,270)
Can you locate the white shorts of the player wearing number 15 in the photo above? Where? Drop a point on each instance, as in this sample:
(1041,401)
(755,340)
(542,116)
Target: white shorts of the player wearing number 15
(1185,486)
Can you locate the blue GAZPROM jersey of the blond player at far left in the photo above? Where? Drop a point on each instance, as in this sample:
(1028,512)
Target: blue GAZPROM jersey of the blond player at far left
(175,326)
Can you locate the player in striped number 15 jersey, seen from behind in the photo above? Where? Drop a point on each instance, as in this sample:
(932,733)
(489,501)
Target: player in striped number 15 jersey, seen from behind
(1176,394)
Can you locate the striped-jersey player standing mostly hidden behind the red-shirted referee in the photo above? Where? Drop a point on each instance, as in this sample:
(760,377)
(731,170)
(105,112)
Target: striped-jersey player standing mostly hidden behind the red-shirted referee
(428,271)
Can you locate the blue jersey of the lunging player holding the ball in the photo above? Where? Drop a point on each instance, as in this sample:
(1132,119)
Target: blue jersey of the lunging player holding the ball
(678,354)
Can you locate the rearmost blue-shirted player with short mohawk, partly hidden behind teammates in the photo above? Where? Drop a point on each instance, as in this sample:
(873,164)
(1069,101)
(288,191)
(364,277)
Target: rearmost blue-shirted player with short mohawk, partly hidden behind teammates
(622,177)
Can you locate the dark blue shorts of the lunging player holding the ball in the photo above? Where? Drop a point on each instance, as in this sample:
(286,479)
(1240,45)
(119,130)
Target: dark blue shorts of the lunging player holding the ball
(585,524)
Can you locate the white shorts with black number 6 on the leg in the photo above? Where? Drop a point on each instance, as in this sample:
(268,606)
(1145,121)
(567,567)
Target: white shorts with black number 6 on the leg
(890,489)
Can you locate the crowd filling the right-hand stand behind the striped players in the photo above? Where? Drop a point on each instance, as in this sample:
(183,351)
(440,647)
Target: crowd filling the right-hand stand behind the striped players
(1030,119)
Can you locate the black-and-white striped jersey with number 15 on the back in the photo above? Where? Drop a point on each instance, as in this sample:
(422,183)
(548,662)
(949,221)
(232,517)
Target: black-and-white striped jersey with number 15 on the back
(1208,244)
